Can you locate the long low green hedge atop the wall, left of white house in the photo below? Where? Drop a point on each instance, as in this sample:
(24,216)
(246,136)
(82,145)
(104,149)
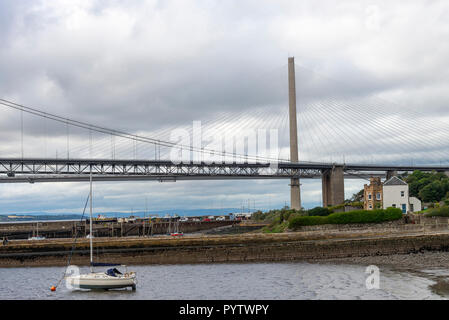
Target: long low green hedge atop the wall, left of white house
(356,216)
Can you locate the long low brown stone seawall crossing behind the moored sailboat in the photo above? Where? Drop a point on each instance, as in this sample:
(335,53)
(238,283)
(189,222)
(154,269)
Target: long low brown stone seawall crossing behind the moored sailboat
(212,249)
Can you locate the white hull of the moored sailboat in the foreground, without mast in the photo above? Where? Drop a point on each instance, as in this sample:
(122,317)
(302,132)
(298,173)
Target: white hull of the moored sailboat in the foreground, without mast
(101,281)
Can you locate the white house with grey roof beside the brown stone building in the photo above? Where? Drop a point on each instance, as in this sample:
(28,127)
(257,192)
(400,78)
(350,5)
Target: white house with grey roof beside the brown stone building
(395,194)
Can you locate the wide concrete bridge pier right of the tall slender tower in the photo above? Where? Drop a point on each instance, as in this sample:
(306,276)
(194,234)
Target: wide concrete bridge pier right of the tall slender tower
(333,186)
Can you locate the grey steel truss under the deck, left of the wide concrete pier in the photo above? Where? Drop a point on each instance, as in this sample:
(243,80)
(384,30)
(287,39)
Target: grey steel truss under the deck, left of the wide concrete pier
(34,170)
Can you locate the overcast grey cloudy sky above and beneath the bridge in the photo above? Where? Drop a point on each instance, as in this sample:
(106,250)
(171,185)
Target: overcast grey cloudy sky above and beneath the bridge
(372,81)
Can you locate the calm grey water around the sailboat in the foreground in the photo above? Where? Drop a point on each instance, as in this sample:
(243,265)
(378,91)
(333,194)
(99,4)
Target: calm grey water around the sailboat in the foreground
(237,281)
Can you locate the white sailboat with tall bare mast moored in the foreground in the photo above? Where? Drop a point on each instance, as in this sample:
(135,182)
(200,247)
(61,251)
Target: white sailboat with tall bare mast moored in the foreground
(111,279)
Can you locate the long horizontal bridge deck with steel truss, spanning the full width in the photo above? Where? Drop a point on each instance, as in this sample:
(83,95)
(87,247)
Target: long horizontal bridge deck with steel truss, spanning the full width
(46,170)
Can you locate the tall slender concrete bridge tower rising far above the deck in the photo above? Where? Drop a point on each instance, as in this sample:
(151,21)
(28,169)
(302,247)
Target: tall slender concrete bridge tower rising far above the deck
(295,192)
